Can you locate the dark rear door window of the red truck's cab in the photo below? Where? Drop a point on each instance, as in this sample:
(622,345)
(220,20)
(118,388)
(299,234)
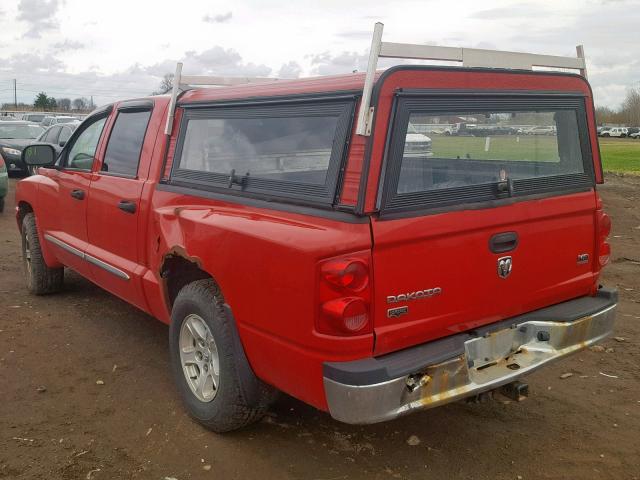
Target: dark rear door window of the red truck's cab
(125,143)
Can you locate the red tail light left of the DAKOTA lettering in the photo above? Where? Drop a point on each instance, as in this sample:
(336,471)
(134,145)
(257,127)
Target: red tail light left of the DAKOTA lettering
(344,296)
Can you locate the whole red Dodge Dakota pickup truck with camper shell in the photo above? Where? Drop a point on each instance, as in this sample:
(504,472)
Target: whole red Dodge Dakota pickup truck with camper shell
(325,237)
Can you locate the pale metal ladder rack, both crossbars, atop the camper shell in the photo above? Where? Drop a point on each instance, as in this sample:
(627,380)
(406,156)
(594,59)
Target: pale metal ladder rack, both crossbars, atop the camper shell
(469,57)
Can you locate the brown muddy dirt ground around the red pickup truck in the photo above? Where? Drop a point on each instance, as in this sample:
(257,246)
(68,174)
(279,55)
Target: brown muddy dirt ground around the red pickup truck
(86,393)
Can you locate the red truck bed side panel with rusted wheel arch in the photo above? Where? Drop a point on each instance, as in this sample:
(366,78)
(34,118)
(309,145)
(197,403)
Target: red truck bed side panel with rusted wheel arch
(265,262)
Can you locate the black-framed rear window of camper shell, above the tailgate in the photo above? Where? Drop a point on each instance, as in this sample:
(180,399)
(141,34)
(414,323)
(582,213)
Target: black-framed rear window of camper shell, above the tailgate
(457,152)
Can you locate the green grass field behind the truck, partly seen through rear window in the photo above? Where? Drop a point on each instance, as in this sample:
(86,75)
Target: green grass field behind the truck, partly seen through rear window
(620,155)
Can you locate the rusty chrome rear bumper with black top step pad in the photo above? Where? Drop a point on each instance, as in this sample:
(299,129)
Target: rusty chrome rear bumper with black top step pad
(481,361)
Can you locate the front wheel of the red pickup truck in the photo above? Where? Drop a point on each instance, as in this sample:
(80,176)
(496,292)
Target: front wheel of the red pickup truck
(41,279)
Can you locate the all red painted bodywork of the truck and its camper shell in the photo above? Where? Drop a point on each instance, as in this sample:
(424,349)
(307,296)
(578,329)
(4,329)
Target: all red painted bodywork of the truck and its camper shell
(266,260)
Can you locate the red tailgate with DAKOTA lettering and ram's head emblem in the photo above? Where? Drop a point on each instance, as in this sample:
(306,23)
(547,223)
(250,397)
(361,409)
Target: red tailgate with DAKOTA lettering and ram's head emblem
(451,251)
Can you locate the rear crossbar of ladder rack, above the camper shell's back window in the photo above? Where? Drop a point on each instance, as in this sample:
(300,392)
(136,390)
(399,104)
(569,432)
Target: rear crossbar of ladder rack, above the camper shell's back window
(469,57)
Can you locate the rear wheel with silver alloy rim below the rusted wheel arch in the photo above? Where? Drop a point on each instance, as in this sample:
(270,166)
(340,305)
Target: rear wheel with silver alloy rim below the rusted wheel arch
(239,398)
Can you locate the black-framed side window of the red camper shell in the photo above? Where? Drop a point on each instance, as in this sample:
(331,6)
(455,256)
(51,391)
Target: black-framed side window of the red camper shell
(288,151)
